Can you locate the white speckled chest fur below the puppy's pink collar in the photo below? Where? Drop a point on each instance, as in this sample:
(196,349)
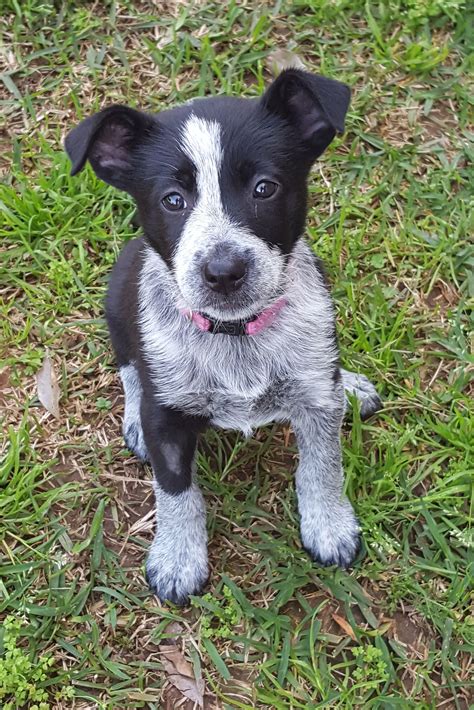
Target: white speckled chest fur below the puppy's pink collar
(224,377)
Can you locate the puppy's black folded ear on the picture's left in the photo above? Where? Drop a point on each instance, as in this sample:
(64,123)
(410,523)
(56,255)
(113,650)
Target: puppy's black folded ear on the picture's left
(108,140)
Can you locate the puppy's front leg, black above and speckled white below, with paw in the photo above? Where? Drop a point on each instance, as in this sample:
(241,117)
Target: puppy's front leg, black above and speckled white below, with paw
(177,562)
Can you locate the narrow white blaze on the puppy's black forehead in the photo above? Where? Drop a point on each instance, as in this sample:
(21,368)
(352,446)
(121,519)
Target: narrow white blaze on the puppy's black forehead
(202,145)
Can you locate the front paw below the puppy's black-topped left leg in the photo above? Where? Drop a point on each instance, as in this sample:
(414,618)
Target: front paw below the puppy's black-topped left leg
(174,577)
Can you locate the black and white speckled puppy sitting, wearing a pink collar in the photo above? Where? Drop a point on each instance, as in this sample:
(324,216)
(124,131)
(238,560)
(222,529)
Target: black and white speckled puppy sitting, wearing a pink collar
(220,315)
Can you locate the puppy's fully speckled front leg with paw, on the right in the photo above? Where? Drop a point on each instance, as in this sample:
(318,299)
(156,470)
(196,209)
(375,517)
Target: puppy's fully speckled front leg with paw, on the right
(329,528)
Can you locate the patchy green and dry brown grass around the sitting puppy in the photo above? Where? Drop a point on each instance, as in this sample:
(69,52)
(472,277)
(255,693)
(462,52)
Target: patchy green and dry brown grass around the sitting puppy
(391,216)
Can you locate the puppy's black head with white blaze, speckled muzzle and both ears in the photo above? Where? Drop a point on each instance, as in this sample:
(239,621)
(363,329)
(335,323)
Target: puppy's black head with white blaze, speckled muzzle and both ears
(220,183)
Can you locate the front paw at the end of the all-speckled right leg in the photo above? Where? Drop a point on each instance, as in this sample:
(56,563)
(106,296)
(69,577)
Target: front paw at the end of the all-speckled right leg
(332,537)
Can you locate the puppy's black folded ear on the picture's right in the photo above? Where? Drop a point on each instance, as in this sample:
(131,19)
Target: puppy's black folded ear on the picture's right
(314,105)
